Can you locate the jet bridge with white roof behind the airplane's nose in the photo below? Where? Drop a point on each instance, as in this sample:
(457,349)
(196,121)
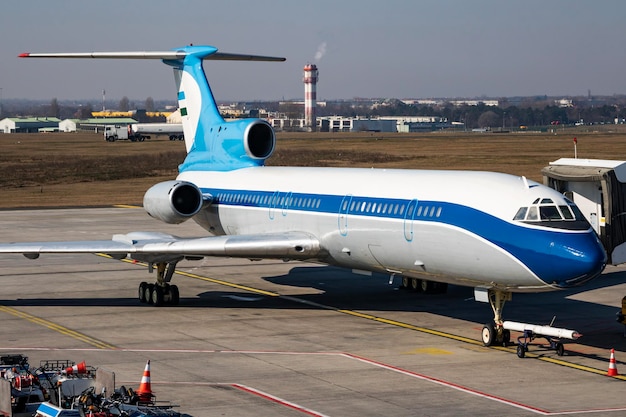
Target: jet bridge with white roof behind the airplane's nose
(598,187)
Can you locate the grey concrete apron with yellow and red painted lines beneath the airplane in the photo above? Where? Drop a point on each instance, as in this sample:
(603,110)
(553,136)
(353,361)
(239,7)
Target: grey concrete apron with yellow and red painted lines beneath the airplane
(292,338)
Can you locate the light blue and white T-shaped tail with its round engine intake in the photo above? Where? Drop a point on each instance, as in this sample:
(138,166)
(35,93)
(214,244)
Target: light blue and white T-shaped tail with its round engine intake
(212,143)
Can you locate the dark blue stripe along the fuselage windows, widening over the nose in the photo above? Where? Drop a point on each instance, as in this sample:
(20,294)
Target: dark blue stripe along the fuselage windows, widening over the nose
(559,257)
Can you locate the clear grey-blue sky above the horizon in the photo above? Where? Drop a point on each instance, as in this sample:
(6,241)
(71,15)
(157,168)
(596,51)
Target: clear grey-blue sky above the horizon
(365,48)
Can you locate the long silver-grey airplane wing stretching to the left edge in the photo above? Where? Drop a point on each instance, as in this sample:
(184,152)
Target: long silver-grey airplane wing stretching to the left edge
(162,247)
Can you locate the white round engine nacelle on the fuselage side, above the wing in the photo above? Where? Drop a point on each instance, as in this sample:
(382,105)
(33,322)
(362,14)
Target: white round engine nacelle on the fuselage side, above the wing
(173,202)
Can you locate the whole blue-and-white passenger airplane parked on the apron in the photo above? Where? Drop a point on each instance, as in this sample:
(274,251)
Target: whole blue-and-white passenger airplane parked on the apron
(496,232)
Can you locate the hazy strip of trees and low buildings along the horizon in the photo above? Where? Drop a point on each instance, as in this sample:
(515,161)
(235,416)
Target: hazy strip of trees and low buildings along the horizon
(524,112)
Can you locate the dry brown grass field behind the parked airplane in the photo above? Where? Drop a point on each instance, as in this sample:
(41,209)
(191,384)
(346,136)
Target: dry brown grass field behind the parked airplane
(81,169)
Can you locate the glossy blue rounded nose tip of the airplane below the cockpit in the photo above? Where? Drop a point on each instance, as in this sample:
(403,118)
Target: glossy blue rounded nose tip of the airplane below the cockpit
(577,260)
